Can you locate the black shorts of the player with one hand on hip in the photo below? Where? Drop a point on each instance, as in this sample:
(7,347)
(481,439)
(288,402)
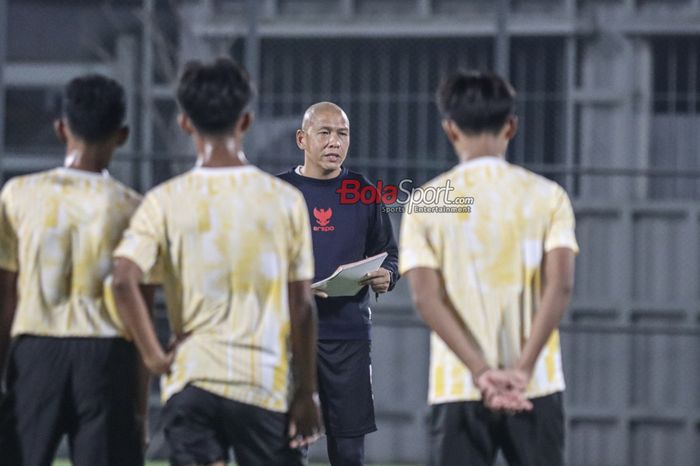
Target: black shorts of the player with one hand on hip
(201,427)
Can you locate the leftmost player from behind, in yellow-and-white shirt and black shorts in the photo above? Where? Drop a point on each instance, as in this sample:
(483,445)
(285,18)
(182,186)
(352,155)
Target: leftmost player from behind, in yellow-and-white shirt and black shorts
(70,371)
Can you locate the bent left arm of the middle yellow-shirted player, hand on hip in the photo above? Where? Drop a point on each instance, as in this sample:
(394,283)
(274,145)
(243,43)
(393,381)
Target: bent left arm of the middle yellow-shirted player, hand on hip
(134,312)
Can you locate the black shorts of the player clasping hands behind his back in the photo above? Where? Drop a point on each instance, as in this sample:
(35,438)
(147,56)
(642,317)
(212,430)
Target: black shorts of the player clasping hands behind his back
(469,433)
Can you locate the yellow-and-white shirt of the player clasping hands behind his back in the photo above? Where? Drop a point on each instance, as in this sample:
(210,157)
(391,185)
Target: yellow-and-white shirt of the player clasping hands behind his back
(491,262)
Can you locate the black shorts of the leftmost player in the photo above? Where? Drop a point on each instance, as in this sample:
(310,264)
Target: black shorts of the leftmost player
(83,387)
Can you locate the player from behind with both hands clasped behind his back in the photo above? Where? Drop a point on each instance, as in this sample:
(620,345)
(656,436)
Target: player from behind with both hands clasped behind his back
(491,265)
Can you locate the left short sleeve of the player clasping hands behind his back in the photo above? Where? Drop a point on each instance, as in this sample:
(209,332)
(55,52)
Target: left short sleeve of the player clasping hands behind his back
(415,248)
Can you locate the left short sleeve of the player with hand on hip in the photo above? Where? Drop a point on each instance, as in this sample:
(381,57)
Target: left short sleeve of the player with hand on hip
(144,240)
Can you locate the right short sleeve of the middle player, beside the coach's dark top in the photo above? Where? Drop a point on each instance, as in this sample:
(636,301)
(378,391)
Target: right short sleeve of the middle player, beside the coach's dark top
(301,256)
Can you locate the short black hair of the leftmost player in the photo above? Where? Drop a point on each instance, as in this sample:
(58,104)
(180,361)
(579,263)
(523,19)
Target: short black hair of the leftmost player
(94,106)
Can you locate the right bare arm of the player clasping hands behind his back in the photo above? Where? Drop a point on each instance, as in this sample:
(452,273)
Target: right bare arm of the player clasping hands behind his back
(558,282)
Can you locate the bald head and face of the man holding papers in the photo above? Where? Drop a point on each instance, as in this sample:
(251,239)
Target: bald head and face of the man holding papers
(325,142)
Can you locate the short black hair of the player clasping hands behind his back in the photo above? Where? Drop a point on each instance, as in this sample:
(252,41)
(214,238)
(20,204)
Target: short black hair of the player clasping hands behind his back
(478,102)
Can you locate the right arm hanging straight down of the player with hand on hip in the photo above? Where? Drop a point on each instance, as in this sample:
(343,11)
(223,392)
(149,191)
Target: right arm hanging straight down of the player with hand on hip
(305,419)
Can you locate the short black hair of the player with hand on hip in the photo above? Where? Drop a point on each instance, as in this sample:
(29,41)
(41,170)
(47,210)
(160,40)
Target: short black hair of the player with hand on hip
(214,96)
